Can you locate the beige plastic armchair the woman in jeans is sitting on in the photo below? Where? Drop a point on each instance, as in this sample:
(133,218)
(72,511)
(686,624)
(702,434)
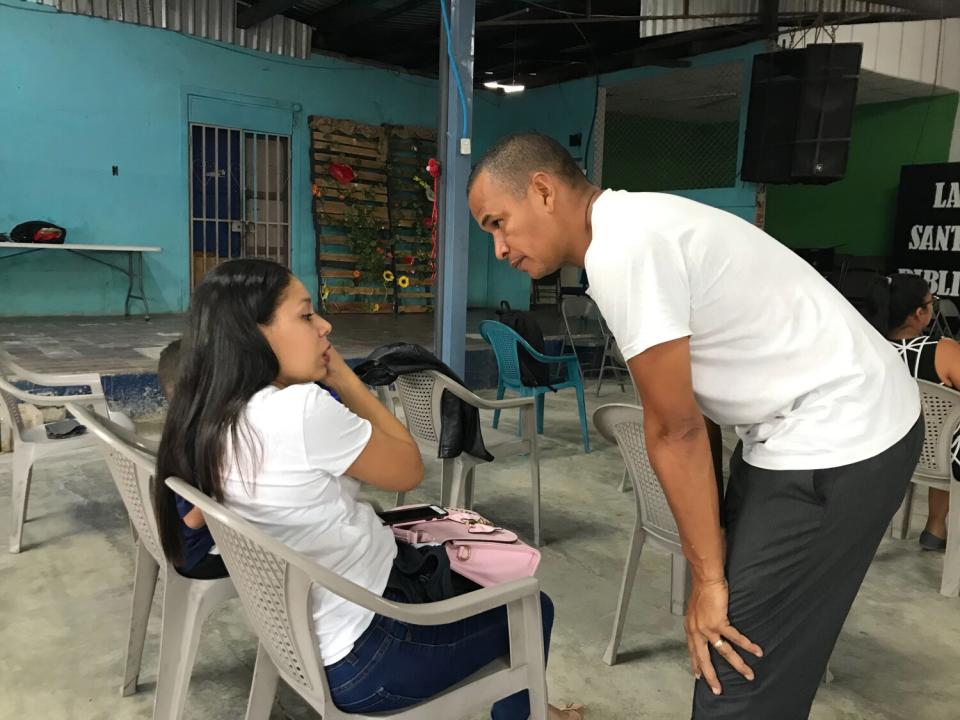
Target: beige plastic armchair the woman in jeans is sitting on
(274,584)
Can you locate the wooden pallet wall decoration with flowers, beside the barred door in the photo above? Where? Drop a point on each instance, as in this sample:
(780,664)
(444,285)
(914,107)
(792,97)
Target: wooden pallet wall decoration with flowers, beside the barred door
(383,204)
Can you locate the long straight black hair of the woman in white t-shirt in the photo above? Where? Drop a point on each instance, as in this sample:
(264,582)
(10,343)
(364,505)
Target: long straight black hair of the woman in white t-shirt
(225,359)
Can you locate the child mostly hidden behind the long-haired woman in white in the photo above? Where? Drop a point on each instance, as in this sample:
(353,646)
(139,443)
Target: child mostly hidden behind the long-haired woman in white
(201,560)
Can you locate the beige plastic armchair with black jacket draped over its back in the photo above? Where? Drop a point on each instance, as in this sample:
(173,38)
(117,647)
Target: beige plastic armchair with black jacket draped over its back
(420,397)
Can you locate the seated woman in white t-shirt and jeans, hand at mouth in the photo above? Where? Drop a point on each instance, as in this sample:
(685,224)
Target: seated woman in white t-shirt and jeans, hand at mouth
(249,426)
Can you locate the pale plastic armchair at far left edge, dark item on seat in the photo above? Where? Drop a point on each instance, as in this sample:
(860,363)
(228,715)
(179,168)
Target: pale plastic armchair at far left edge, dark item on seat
(32,444)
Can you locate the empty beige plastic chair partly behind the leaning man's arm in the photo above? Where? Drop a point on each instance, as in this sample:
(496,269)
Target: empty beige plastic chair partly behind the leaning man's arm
(623,425)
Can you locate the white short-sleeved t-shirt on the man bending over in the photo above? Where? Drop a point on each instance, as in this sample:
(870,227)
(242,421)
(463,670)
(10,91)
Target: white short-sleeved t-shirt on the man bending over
(775,350)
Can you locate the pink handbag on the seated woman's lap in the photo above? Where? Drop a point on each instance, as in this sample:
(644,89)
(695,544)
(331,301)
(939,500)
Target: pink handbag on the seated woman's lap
(478,550)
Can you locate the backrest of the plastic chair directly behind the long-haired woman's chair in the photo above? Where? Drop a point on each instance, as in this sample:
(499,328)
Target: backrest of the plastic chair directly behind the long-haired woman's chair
(132,469)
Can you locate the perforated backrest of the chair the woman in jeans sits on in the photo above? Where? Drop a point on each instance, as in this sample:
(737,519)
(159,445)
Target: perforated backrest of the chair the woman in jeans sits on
(274,588)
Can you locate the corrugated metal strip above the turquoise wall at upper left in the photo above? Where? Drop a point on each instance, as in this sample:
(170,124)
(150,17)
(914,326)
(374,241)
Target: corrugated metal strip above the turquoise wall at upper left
(211,19)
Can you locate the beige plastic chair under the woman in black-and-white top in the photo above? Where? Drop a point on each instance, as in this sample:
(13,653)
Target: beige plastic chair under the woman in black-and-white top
(941,415)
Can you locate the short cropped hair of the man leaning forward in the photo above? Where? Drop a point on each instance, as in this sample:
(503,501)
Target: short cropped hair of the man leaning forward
(514,158)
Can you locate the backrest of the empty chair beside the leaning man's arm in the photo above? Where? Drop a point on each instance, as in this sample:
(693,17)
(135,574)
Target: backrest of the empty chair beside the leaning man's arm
(623,424)
